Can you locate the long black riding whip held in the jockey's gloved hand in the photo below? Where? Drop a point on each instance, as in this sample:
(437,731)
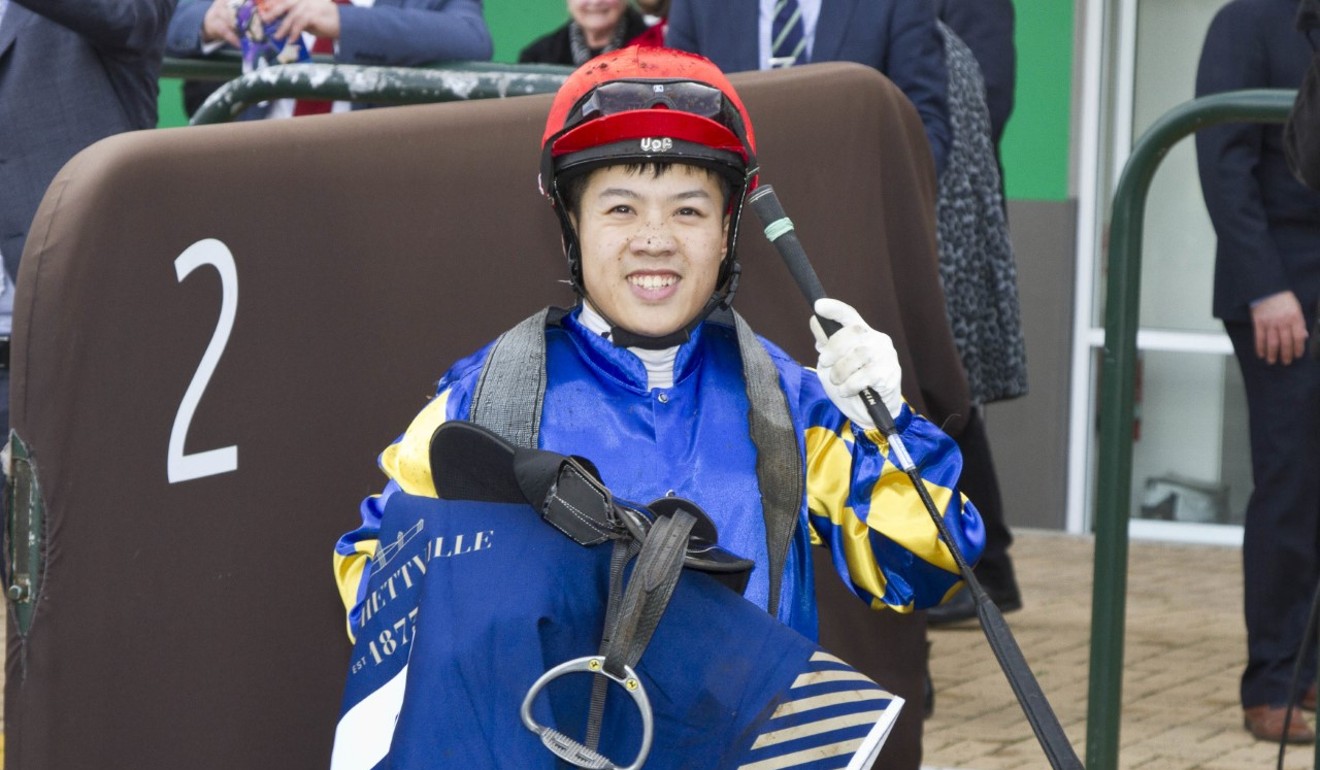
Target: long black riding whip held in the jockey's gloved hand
(1045,723)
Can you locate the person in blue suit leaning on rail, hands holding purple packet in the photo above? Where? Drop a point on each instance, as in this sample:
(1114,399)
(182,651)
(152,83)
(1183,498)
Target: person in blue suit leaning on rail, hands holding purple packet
(362,32)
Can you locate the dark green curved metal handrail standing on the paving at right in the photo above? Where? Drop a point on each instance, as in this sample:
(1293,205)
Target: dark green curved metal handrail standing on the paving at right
(1115,481)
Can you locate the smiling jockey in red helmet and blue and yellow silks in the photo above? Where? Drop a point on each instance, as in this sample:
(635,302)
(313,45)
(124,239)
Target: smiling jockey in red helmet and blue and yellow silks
(647,159)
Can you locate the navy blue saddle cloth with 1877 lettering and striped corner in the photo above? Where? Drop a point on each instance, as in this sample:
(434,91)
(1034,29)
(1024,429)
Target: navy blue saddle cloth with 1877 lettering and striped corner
(471,603)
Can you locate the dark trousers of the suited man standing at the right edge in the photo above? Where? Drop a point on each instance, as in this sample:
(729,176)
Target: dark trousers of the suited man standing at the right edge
(1281,543)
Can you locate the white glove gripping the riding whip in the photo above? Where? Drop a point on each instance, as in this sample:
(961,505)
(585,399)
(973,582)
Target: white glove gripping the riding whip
(856,359)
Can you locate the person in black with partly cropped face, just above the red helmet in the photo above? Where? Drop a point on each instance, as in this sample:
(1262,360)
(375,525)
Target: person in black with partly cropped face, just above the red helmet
(595,27)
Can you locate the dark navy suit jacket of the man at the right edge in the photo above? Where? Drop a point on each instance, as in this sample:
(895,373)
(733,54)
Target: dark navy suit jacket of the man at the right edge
(1267,221)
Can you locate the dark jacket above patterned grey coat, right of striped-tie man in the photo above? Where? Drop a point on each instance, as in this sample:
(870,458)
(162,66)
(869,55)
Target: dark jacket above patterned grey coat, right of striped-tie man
(987,27)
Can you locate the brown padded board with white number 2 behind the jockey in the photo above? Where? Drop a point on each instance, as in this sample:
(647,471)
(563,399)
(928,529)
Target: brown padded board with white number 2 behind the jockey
(196,624)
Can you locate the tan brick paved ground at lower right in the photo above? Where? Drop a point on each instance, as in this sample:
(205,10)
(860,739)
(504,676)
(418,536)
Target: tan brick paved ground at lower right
(1185,650)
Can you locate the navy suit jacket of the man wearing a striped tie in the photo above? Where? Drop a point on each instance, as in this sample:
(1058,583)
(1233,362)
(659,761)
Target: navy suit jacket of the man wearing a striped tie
(897,38)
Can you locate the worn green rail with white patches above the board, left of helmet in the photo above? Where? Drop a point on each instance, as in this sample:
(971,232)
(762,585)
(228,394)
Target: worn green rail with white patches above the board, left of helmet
(321,79)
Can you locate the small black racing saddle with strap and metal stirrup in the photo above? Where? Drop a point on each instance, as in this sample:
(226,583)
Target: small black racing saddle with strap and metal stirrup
(658,541)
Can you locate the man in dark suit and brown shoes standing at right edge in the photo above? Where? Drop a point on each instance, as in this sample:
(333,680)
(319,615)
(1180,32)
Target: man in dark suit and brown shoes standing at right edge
(1267,289)
